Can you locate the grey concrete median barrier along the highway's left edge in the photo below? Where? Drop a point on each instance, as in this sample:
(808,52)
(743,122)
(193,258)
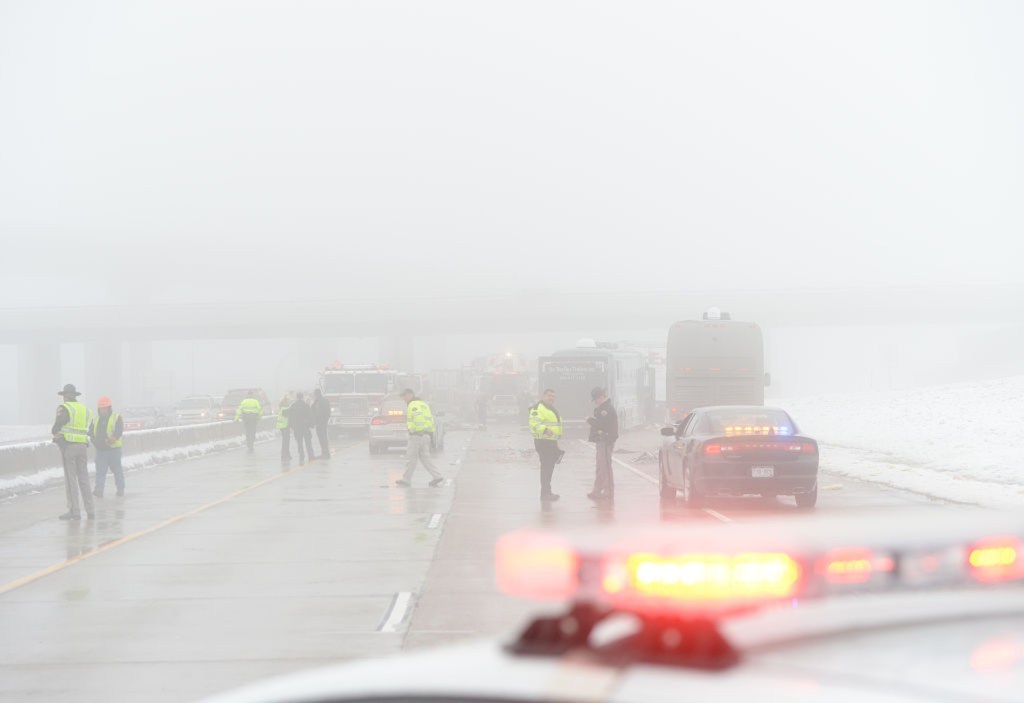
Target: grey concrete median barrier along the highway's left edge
(28,458)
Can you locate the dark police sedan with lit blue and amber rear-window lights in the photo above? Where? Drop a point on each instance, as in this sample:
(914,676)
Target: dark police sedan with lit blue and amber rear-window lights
(739,451)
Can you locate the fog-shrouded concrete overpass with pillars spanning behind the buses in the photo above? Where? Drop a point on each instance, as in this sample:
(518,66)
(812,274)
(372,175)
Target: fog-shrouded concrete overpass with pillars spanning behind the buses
(38,333)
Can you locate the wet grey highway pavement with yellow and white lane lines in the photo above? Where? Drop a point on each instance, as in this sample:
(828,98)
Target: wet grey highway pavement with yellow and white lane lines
(222,570)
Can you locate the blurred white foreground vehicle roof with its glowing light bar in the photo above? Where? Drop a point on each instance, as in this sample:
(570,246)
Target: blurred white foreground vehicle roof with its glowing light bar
(862,609)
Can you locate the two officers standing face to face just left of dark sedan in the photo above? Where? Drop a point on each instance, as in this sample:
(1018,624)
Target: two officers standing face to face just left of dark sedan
(546,426)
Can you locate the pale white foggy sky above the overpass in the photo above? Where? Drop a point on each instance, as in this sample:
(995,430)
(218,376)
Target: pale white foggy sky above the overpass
(178,150)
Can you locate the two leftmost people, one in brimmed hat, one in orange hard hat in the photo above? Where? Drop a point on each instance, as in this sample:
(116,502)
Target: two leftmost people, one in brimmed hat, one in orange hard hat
(74,429)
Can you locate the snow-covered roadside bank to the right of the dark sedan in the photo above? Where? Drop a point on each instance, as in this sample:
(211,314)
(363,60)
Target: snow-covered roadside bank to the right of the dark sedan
(960,443)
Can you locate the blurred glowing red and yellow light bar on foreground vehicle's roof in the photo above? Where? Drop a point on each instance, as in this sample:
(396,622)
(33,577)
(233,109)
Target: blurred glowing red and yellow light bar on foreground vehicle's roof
(736,567)
